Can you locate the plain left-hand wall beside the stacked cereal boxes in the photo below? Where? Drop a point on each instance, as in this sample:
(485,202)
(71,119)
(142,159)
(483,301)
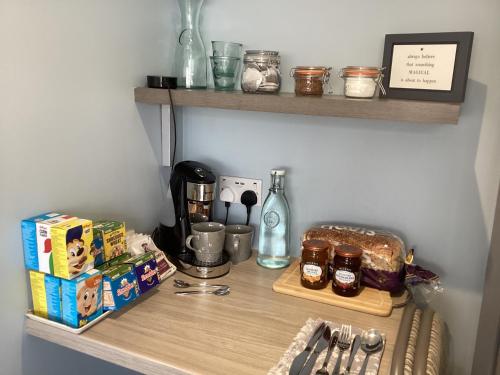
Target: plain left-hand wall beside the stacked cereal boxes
(72,139)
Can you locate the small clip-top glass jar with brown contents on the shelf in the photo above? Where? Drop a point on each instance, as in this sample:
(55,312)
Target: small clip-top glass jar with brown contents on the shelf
(310,80)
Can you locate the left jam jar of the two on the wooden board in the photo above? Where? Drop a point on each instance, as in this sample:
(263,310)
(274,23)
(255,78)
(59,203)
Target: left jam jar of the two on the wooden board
(314,264)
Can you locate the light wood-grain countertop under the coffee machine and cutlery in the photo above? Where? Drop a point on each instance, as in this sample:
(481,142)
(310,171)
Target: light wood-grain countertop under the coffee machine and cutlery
(243,333)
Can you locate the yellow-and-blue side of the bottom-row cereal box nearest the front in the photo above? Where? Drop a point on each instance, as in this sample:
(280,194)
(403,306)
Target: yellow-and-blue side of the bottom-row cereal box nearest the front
(46,294)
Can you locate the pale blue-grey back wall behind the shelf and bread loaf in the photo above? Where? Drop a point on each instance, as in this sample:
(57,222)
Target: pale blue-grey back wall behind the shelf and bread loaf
(436,185)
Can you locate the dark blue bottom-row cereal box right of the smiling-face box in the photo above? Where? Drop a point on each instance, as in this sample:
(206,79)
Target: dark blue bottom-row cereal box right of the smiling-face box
(119,286)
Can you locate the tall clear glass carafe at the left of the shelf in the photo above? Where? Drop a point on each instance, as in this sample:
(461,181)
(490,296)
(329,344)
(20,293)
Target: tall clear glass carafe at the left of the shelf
(190,54)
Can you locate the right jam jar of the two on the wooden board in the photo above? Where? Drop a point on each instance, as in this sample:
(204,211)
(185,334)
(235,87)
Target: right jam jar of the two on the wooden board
(347,270)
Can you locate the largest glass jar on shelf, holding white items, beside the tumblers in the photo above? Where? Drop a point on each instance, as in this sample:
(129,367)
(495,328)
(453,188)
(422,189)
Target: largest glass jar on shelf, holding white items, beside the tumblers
(261,72)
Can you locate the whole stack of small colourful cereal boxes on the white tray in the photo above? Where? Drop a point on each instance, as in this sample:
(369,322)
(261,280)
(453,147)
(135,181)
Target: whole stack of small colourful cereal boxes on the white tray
(79,269)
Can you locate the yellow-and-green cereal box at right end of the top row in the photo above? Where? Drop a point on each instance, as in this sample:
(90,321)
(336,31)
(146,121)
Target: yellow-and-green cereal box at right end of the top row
(109,240)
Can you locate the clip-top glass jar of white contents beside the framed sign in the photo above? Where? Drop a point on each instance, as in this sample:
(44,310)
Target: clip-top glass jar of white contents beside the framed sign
(362,81)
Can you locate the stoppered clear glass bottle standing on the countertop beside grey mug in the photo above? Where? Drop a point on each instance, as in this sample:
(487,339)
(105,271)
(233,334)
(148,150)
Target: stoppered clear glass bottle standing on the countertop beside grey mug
(274,232)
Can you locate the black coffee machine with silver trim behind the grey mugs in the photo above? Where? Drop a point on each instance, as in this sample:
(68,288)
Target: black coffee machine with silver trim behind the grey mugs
(192,185)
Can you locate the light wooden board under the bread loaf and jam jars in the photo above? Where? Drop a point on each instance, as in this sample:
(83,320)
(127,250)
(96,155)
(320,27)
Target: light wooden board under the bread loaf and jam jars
(371,301)
